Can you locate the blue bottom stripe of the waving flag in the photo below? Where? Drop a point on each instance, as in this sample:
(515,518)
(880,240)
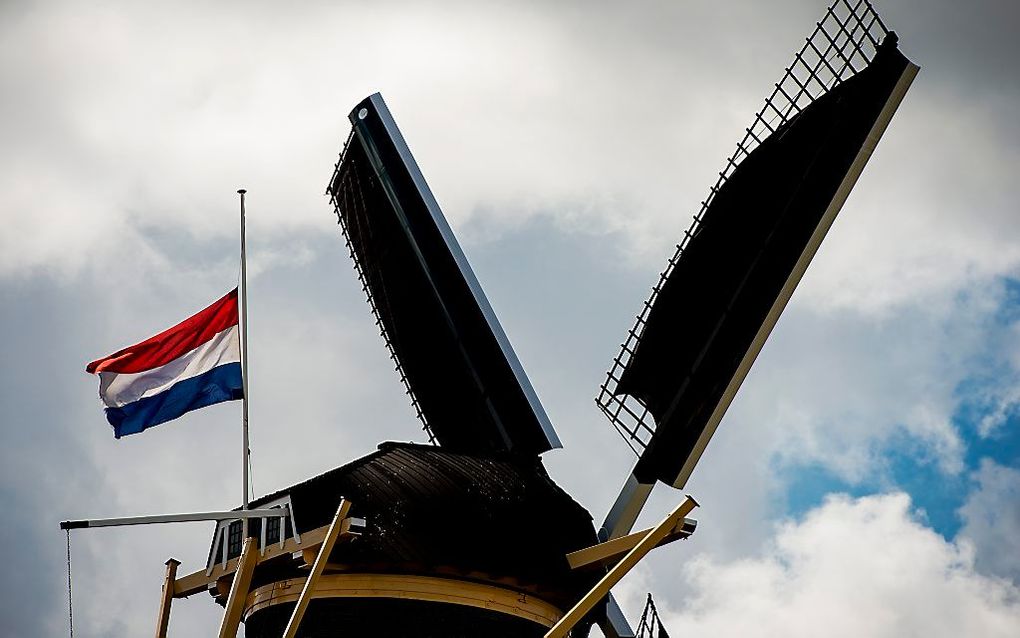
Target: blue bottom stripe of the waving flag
(220,384)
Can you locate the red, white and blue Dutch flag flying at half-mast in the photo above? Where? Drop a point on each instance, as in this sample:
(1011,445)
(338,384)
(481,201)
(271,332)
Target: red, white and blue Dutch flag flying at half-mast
(193,365)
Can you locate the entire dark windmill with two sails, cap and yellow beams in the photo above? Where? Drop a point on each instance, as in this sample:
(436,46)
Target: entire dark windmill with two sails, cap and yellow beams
(440,538)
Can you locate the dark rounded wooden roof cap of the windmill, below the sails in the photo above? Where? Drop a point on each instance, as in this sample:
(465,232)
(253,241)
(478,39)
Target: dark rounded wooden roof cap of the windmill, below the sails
(431,511)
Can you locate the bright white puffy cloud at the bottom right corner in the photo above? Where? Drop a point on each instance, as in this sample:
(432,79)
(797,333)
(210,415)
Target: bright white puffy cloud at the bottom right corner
(851,568)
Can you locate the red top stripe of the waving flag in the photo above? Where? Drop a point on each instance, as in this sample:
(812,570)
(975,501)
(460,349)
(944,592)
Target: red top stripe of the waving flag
(173,342)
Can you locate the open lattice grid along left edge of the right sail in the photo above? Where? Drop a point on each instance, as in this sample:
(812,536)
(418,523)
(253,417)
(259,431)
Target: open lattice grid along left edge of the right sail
(844,42)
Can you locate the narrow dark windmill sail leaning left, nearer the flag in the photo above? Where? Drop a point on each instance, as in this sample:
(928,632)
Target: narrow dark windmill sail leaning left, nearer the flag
(465,379)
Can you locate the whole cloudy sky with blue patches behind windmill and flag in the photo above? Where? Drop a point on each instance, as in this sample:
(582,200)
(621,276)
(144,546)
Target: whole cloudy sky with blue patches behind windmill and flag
(866,480)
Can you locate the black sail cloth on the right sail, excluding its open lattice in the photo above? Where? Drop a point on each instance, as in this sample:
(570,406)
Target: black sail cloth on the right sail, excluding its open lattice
(730,282)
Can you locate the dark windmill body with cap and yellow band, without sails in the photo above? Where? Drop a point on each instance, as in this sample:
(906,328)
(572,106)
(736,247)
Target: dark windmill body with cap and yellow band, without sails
(455,545)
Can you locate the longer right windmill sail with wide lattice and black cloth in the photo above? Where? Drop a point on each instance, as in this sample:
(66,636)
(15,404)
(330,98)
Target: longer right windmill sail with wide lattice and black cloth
(735,272)
